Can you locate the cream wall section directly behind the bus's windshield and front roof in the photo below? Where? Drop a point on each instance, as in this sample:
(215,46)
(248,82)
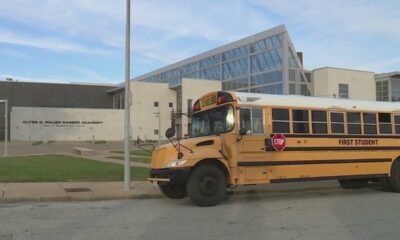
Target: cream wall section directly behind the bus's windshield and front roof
(194,89)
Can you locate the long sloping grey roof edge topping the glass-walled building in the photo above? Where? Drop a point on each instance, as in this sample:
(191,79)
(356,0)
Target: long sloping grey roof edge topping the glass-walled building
(244,41)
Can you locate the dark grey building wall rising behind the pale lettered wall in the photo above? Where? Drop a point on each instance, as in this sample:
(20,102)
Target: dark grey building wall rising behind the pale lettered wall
(29,94)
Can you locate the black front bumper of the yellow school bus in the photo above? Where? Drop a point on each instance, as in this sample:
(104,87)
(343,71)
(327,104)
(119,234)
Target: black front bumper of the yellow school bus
(169,176)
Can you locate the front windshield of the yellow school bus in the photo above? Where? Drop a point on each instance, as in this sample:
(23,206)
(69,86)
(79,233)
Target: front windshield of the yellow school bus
(211,122)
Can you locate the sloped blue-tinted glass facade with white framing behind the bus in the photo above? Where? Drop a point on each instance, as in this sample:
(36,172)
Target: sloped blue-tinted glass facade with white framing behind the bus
(264,65)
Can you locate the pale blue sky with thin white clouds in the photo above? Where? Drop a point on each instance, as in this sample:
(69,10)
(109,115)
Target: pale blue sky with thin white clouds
(83,40)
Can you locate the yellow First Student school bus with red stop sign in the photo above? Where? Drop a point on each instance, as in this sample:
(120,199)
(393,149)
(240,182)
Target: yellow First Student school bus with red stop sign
(245,138)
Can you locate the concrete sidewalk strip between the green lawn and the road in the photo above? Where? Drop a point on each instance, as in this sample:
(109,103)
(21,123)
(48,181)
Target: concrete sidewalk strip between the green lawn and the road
(75,191)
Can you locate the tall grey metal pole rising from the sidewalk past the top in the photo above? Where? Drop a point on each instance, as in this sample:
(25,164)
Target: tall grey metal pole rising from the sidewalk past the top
(127,152)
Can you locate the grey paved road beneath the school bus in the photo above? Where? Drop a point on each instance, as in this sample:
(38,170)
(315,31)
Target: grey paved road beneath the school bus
(328,213)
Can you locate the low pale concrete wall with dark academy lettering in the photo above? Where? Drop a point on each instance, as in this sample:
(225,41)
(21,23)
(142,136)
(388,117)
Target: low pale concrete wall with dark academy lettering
(66,124)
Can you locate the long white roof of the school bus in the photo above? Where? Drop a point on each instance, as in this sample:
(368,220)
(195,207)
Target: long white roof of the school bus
(314,102)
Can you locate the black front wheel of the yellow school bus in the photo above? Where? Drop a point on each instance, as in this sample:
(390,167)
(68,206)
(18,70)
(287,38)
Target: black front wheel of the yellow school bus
(206,185)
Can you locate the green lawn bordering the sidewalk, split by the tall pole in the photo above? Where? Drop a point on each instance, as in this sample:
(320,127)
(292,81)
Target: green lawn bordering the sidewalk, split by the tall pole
(60,168)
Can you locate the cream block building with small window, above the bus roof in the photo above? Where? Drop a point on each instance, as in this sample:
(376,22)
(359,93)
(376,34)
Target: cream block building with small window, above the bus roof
(361,83)
